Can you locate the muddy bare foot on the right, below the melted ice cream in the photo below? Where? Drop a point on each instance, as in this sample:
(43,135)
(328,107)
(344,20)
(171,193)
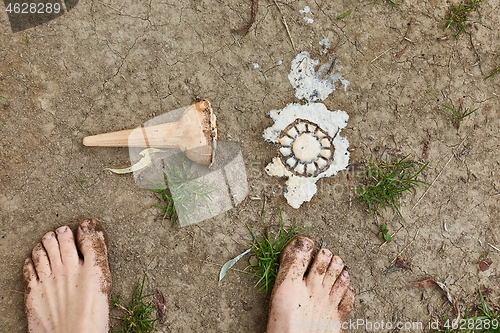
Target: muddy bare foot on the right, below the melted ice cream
(319,301)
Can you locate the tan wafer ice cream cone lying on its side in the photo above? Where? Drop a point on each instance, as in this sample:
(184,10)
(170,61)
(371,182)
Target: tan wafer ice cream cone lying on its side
(195,133)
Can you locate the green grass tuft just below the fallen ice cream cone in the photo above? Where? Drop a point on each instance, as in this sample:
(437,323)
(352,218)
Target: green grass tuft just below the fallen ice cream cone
(182,191)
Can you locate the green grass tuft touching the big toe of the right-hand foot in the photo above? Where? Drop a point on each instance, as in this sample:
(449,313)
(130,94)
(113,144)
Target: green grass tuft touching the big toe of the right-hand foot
(267,249)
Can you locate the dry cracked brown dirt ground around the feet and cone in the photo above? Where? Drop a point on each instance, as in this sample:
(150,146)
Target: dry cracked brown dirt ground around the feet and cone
(111,65)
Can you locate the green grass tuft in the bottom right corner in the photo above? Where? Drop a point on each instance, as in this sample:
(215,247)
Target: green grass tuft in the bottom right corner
(488,320)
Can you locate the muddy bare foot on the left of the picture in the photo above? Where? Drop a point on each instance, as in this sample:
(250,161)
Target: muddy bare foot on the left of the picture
(65,293)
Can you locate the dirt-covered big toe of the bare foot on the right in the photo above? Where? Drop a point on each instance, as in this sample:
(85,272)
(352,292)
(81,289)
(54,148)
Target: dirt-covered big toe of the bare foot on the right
(295,260)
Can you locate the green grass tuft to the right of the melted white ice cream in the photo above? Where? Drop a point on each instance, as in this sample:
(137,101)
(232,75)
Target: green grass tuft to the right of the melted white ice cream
(388,181)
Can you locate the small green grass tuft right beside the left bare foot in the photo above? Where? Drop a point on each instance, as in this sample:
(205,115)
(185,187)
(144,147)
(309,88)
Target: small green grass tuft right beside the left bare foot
(138,314)
